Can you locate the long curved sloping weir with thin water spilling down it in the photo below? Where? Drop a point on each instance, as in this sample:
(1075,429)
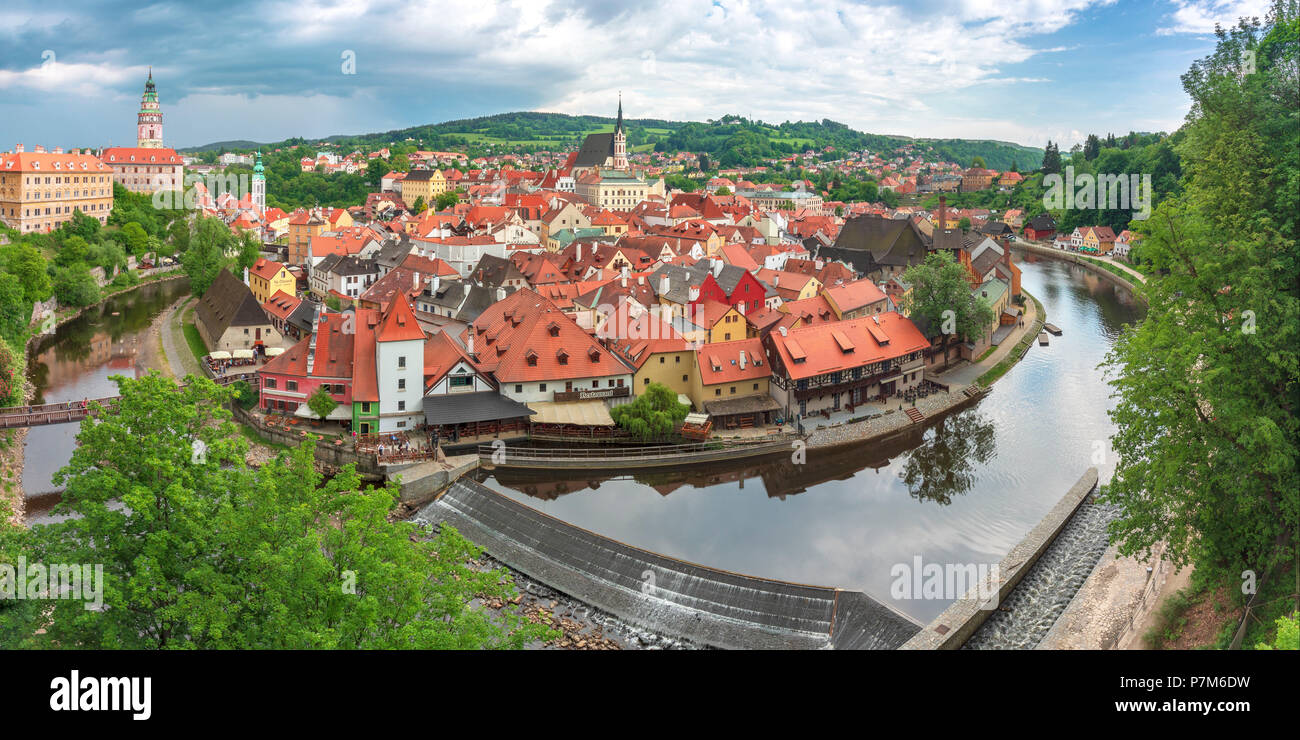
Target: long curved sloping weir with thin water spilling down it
(683,600)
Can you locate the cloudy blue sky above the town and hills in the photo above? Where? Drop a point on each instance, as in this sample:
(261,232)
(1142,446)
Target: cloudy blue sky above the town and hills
(1022,71)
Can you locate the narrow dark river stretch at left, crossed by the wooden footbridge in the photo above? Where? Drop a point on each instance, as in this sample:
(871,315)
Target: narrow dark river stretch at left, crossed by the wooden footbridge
(77,363)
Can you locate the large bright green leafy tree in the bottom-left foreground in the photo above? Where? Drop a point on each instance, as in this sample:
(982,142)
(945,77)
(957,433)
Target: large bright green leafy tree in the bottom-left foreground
(211,555)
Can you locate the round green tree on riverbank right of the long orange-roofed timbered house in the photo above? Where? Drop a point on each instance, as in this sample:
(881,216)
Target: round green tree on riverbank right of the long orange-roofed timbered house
(943,297)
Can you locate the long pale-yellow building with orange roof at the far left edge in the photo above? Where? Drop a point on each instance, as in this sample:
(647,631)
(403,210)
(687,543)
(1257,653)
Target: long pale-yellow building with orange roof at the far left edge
(41,191)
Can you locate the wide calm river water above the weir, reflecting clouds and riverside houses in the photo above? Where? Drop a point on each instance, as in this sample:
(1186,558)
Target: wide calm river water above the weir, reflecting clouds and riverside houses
(965,491)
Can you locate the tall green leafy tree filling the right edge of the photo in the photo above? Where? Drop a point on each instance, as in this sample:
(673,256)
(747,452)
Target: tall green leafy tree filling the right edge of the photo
(1207,384)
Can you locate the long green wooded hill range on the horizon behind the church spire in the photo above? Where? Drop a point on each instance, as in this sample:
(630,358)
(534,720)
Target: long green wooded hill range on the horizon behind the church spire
(730,141)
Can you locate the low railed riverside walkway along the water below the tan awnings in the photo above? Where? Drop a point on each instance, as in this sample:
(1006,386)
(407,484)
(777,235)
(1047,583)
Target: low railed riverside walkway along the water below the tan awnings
(617,458)
